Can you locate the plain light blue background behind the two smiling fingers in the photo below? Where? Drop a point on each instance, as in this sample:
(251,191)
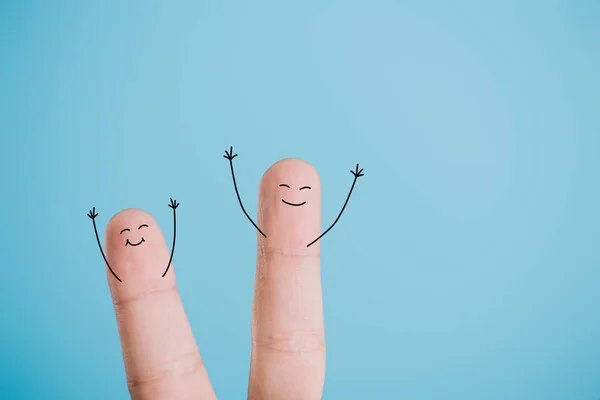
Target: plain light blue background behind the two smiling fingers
(467,263)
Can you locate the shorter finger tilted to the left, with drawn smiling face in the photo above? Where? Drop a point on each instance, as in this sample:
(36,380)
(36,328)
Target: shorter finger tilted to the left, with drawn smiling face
(161,358)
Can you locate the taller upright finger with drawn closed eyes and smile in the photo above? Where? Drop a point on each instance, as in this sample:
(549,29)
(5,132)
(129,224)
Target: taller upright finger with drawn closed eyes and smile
(288,339)
